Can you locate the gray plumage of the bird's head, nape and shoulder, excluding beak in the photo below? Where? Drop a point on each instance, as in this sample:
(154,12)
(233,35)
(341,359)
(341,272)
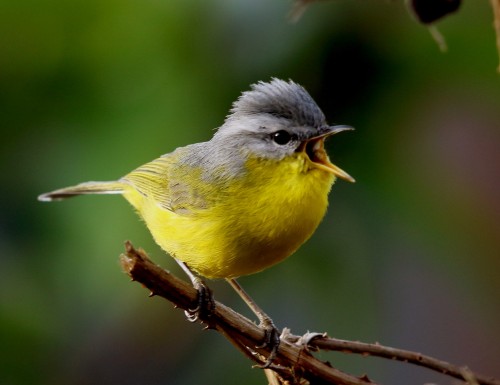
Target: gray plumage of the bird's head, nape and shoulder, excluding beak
(249,129)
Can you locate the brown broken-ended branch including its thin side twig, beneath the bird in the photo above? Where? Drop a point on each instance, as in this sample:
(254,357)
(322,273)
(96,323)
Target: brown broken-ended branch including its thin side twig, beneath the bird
(293,363)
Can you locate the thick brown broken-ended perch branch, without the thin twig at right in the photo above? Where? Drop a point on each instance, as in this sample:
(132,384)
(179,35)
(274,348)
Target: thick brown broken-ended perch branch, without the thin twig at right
(291,361)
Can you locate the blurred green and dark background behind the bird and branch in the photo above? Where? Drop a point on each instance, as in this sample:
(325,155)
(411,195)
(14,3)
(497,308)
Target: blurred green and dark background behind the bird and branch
(408,256)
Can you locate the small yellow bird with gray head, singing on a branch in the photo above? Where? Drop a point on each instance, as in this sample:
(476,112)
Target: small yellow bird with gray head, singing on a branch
(242,201)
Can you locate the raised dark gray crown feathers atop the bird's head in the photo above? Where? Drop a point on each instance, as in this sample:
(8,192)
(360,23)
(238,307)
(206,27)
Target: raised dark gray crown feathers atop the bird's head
(280,99)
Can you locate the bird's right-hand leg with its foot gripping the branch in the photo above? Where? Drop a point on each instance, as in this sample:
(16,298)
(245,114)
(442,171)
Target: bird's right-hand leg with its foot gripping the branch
(271,333)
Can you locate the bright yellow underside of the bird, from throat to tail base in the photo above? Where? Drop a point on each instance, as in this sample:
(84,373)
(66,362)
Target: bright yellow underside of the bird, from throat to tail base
(262,219)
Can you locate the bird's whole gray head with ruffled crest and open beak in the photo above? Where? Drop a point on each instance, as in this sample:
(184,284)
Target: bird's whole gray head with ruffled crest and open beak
(278,119)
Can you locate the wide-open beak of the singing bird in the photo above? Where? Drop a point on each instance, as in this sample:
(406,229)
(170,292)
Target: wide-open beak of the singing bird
(315,150)
